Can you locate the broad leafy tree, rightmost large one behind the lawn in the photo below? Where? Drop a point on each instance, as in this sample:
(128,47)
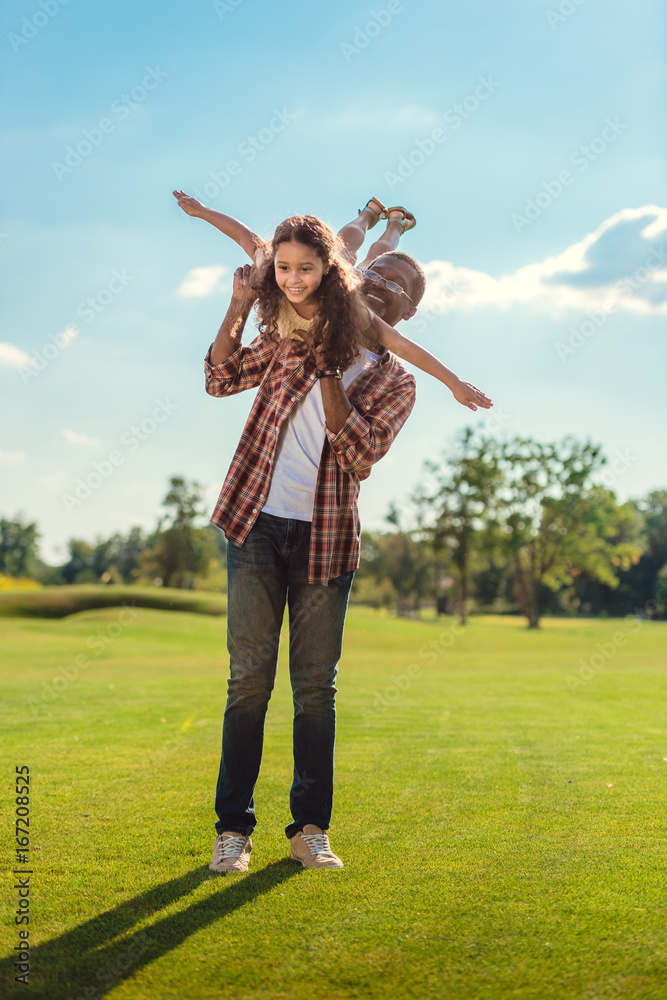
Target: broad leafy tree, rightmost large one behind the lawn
(557,524)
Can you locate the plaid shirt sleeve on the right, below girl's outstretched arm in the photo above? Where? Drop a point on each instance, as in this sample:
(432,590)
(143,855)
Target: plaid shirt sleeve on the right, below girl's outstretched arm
(364,440)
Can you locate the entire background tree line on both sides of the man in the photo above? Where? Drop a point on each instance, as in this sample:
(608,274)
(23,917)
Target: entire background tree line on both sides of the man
(492,526)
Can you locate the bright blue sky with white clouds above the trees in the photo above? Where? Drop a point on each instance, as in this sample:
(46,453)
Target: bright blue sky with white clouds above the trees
(101,353)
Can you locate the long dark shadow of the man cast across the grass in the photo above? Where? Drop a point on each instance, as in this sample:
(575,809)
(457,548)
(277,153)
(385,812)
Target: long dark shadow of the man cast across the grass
(86,962)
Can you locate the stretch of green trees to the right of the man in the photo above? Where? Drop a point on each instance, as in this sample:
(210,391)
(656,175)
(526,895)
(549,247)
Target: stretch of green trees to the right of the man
(520,526)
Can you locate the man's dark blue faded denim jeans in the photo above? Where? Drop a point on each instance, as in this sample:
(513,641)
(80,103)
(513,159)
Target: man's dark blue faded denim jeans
(269,569)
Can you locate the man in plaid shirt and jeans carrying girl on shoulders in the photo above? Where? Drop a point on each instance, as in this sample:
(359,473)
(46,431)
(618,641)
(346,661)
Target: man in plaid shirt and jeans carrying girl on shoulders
(307,563)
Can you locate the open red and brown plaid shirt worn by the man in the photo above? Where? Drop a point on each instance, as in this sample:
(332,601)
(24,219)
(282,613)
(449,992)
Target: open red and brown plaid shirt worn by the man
(382,398)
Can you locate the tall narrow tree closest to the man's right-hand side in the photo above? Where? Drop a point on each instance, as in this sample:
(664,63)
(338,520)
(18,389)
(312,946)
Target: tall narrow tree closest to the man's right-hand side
(458,512)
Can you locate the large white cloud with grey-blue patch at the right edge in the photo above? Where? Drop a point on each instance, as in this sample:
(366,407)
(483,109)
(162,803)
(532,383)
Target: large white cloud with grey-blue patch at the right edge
(624,260)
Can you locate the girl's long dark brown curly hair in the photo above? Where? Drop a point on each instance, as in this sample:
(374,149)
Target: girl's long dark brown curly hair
(341,315)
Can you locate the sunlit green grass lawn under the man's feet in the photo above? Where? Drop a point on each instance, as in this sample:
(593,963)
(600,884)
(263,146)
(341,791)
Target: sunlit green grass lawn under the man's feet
(500,809)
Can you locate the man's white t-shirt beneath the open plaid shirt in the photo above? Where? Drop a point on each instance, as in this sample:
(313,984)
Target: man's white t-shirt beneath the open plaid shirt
(297,462)
